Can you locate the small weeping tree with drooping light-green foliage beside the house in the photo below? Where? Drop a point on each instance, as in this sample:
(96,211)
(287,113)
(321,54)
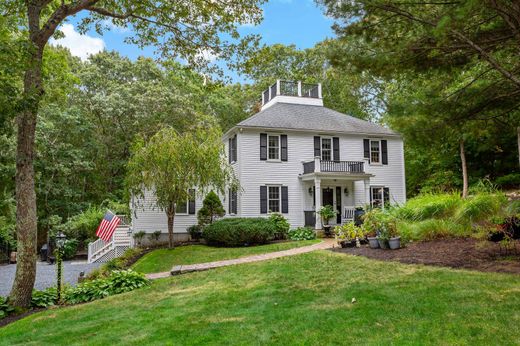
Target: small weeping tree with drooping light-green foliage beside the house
(173,163)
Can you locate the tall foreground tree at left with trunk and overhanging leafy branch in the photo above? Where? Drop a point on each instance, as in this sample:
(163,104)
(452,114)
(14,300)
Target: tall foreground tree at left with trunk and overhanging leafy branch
(178,29)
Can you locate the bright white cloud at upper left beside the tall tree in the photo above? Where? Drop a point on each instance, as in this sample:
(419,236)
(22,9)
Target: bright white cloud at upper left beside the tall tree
(79,45)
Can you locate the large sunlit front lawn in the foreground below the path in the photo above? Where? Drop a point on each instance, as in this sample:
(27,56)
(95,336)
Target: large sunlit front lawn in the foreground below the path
(304,299)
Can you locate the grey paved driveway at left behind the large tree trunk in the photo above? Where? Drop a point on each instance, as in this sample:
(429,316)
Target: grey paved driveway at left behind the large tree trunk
(45,274)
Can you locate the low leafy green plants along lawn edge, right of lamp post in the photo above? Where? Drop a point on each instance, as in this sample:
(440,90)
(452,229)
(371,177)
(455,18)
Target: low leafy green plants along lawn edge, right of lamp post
(119,281)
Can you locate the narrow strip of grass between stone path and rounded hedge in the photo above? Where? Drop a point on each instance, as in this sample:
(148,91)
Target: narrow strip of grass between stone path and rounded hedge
(164,259)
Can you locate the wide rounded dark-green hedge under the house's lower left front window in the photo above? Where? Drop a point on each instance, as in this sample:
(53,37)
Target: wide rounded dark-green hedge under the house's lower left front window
(240,231)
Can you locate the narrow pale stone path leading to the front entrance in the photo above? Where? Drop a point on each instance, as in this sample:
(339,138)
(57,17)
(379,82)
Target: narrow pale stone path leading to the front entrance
(182,269)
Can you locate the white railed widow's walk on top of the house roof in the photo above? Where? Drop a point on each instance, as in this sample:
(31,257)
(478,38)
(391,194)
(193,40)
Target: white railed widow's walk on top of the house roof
(292,92)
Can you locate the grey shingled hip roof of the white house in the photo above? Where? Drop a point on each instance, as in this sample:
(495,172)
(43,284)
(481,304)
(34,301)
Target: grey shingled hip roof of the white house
(315,118)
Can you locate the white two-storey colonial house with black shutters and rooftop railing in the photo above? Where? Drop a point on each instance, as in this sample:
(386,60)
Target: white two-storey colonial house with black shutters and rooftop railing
(295,156)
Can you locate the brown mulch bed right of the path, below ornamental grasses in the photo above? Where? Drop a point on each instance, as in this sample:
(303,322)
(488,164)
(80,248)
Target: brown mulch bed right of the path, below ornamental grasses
(454,253)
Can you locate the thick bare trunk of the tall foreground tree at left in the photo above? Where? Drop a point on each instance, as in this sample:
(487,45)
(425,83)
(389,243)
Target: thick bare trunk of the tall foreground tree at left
(26,219)
